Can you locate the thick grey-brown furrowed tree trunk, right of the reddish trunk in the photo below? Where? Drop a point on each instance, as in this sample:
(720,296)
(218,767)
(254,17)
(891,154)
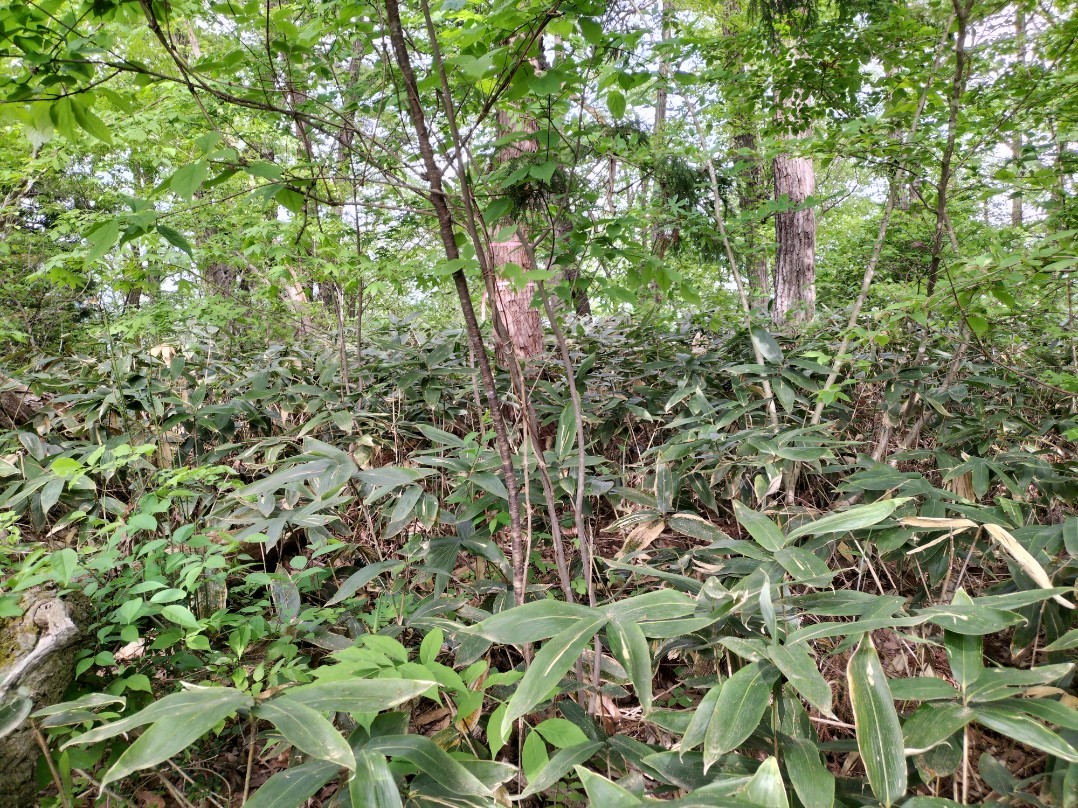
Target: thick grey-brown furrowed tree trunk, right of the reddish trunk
(795,241)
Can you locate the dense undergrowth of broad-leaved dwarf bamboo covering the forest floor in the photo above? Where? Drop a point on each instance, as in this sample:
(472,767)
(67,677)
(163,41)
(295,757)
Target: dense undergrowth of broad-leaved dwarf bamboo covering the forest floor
(299,579)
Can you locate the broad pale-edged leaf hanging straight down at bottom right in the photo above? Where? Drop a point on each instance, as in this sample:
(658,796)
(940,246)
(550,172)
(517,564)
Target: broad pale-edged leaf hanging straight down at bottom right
(879,734)
